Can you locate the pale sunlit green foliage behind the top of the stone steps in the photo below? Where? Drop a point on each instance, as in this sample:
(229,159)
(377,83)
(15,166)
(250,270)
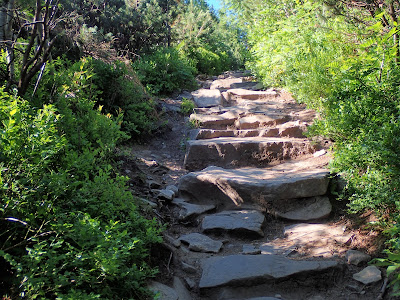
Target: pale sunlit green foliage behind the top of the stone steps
(212,43)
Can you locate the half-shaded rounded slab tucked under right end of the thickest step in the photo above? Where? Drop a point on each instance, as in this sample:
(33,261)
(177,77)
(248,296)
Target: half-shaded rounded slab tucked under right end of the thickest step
(304,209)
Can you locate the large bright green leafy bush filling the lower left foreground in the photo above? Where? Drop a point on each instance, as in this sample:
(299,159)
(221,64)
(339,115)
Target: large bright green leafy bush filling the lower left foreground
(70,228)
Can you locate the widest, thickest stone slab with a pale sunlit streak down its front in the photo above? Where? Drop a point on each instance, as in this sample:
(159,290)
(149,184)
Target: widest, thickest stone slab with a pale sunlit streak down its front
(236,187)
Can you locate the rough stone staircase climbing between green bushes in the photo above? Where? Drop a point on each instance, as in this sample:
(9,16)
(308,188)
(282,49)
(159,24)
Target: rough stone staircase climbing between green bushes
(253,208)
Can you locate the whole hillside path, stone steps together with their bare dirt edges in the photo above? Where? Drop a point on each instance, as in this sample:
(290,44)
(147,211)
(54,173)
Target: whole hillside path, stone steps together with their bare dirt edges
(247,201)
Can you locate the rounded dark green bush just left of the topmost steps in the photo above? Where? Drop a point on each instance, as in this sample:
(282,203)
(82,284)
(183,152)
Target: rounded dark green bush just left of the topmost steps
(165,71)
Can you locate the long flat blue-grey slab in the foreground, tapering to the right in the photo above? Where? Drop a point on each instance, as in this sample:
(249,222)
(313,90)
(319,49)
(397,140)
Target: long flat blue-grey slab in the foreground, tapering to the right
(248,269)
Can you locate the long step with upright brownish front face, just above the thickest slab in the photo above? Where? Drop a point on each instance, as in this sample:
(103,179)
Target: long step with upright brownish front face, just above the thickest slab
(241,152)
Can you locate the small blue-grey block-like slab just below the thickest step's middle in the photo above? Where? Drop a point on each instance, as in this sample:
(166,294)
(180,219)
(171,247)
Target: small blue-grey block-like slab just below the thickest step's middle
(243,221)
